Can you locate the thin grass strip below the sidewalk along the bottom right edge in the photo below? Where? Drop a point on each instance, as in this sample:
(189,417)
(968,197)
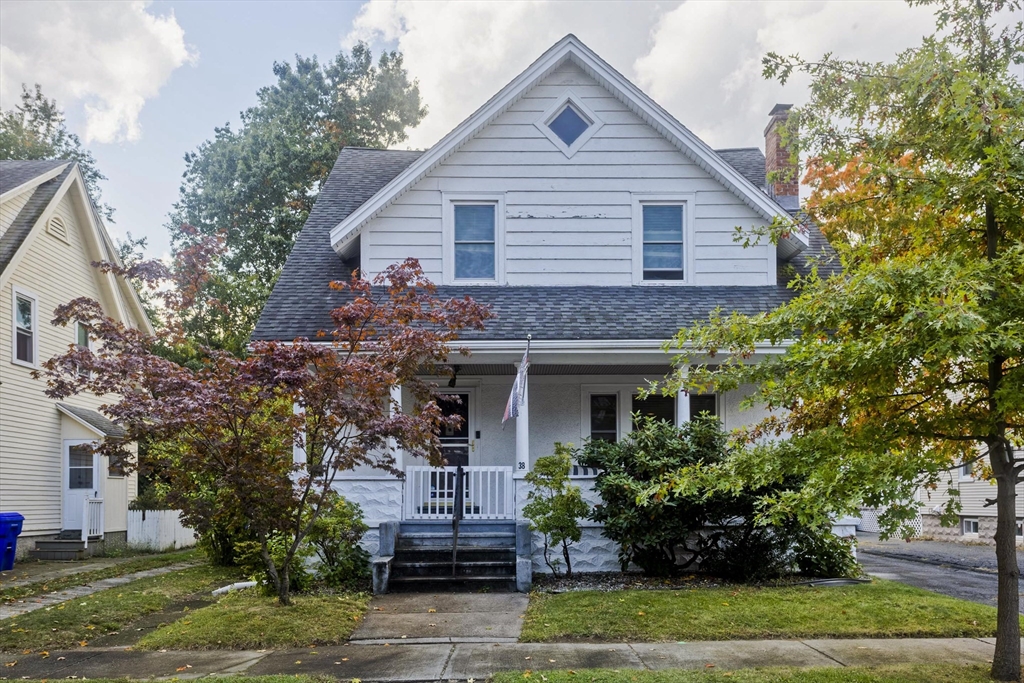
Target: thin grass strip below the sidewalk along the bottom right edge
(891,674)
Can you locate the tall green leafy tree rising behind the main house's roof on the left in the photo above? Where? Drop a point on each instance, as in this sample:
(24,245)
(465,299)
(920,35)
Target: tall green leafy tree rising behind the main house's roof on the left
(257,186)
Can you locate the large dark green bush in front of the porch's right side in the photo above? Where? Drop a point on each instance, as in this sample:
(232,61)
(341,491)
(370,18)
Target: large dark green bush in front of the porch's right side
(665,534)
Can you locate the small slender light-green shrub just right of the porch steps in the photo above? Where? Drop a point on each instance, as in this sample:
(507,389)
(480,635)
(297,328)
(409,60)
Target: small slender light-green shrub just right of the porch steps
(554,506)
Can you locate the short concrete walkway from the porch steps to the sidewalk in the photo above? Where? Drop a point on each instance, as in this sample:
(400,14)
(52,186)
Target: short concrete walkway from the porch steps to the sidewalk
(443,618)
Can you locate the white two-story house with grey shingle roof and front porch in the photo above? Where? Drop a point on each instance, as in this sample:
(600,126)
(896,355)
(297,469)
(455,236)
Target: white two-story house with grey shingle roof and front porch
(590,220)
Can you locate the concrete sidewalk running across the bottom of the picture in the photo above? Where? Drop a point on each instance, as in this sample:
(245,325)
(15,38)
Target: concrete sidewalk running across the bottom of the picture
(442,662)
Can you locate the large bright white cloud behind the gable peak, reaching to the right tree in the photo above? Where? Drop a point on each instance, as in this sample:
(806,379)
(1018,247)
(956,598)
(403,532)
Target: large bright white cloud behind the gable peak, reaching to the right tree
(700,60)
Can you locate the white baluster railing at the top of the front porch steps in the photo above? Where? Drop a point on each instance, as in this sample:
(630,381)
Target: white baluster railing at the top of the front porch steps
(489,493)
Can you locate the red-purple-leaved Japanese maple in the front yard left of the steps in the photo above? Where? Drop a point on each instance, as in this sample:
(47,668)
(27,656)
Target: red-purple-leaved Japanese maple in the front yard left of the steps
(272,431)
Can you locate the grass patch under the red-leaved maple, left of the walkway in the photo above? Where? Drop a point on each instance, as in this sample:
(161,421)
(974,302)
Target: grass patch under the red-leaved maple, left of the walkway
(245,620)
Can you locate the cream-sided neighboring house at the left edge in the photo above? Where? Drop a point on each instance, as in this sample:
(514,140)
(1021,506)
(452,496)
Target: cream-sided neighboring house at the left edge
(51,233)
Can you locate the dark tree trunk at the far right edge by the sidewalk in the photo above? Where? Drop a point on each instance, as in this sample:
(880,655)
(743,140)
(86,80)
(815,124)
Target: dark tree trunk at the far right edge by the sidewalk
(1007,662)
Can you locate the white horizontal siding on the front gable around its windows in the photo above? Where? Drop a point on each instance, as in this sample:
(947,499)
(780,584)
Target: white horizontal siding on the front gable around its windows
(569,221)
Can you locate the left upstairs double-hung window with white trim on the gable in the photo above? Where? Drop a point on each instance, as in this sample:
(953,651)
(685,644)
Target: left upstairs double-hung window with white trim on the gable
(474,240)
